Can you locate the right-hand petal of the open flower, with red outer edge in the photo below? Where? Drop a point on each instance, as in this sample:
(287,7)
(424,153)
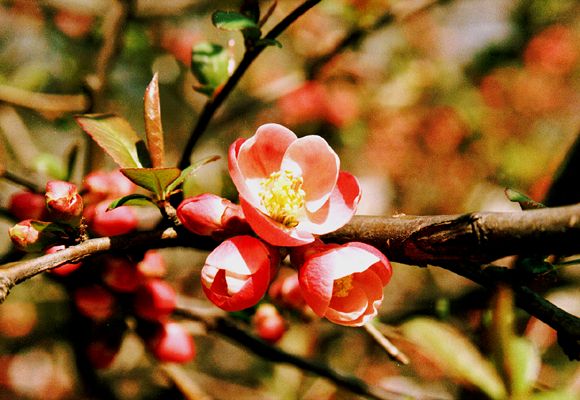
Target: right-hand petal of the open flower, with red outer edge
(338,210)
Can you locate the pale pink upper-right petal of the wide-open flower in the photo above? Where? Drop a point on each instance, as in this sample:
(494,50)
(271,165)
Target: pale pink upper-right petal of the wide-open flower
(312,158)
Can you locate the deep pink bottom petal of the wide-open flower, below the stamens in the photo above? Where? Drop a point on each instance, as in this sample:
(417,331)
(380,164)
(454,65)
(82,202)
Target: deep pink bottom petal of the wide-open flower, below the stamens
(271,231)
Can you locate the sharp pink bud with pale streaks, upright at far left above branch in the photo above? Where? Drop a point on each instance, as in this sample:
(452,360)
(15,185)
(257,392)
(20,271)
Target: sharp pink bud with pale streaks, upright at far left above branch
(63,201)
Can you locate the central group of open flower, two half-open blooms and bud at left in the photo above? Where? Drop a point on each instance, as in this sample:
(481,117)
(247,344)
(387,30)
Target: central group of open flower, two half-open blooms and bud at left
(291,190)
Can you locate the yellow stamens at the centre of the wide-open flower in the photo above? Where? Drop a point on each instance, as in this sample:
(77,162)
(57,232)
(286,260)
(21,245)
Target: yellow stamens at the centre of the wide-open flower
(283,197)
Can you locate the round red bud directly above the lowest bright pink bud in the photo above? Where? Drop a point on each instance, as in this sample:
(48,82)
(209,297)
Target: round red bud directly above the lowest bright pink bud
(155,300)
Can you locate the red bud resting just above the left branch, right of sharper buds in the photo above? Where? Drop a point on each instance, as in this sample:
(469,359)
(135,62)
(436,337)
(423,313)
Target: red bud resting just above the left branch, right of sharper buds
(115,222)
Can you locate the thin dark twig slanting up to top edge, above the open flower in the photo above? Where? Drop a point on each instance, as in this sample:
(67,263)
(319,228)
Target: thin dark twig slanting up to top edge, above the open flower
(212,104)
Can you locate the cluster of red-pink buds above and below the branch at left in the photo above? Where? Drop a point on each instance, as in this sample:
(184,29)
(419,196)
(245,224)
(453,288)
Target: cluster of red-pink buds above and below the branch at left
(107,289)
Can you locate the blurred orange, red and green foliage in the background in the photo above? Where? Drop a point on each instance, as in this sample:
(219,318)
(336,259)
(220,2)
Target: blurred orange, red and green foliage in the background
(436,113)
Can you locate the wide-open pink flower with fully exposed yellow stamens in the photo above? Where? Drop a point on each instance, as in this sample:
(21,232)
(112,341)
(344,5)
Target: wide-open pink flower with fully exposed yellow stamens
(291,188)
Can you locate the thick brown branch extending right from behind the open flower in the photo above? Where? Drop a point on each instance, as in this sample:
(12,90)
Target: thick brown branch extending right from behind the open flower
(476,237)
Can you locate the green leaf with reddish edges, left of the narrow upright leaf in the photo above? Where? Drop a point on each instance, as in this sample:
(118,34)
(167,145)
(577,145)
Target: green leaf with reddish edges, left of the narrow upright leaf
(115,136)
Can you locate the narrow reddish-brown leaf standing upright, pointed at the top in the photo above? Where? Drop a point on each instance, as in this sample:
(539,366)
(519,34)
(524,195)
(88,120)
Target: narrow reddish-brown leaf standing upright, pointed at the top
(153,127)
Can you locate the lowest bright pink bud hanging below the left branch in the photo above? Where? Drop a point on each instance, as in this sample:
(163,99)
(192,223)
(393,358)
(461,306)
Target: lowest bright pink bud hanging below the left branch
(172,343)
